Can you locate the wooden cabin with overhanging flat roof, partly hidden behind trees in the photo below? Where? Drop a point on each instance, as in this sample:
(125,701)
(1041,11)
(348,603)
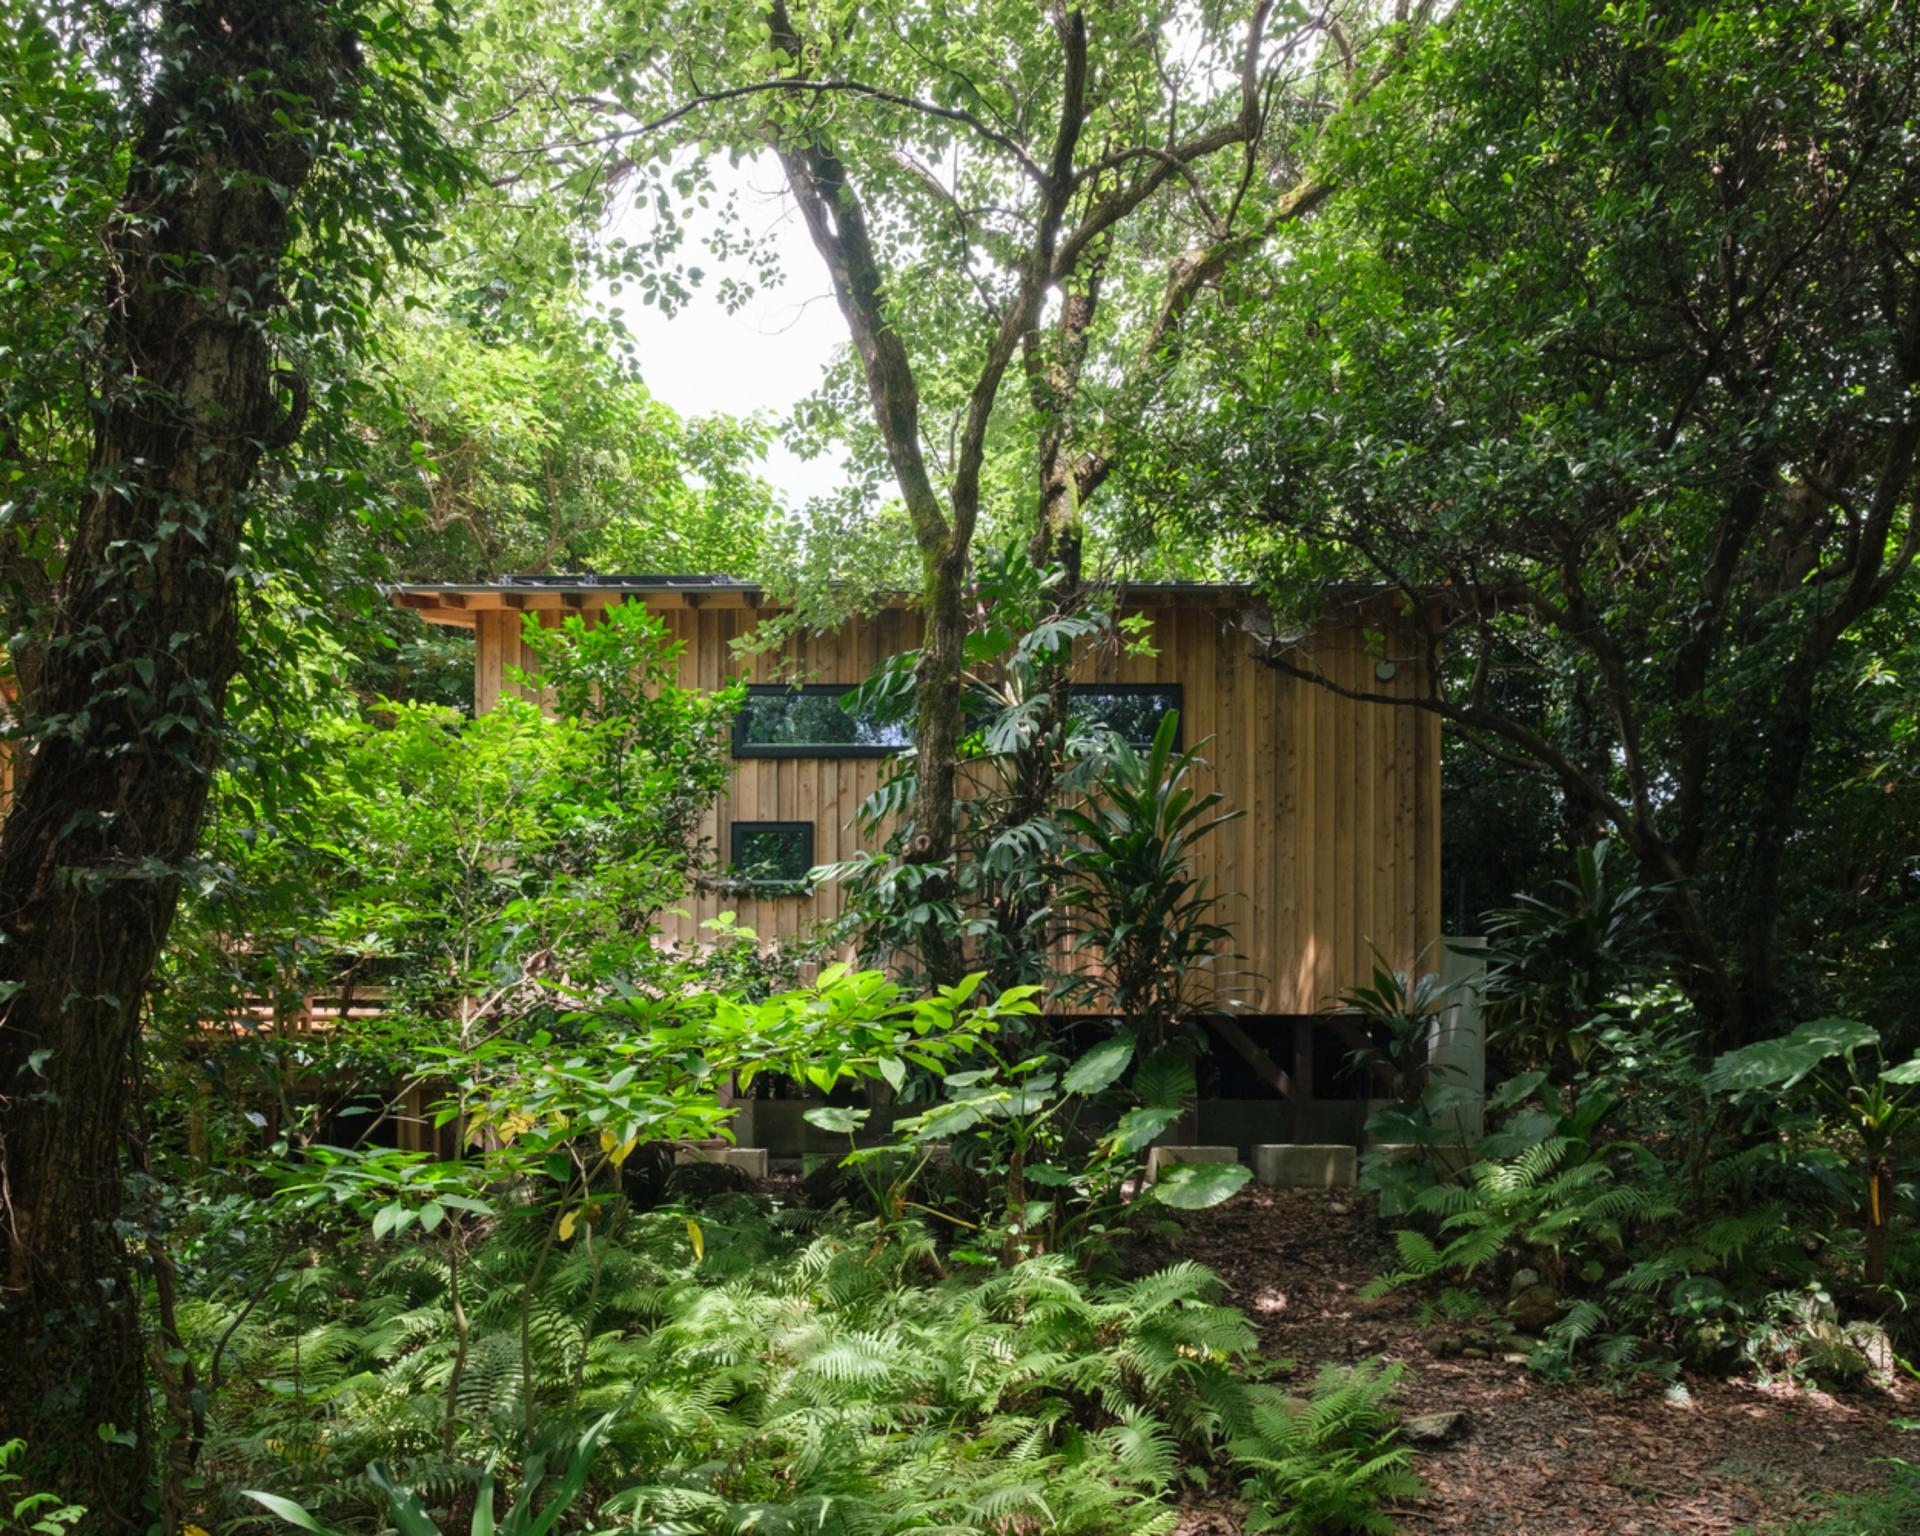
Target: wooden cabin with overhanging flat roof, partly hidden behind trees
(1339,846)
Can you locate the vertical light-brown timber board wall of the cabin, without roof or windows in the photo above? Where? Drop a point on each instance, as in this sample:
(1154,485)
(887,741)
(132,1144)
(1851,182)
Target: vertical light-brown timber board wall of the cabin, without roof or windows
(1339,844)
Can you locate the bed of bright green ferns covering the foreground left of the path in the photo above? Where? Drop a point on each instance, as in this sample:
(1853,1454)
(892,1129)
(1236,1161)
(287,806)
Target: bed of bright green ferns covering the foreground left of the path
(780,1372)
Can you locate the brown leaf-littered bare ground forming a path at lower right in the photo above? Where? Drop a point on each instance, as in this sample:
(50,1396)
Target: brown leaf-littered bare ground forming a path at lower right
(1537,1458)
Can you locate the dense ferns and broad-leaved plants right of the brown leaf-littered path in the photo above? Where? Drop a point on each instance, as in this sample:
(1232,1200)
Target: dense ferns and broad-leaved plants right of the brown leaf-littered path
(1660,1207)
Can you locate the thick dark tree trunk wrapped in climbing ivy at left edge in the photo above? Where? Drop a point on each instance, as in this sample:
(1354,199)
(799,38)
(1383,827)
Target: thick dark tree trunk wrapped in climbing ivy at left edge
(126,715)
